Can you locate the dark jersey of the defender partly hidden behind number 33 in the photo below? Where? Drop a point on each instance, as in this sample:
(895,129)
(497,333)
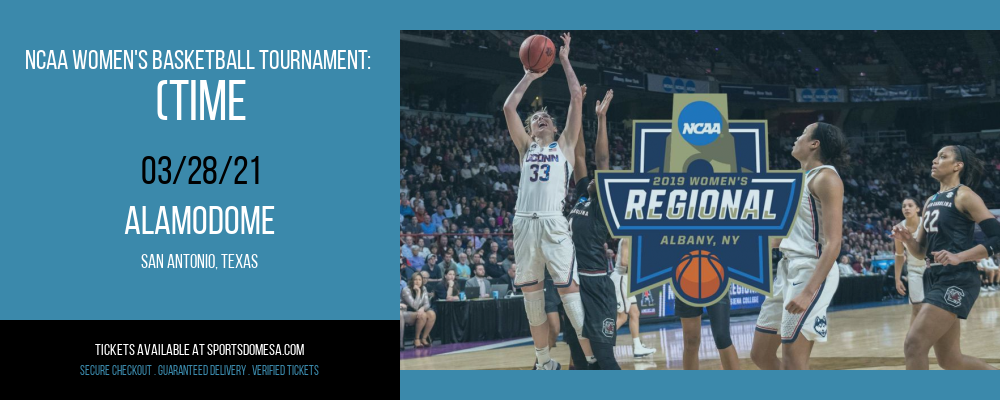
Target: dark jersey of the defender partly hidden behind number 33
(586,222)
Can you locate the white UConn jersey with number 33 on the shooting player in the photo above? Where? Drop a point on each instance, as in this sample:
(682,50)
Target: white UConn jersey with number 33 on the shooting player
(544,180)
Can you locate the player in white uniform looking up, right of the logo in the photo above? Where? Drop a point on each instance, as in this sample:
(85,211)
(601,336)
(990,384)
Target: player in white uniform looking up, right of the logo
(795,315)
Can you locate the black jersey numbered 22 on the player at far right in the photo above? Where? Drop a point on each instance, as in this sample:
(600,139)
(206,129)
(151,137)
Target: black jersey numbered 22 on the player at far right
(946,227)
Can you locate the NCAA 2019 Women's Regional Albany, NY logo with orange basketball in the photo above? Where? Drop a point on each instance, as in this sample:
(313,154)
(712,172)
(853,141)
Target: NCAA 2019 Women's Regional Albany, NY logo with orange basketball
(700,202)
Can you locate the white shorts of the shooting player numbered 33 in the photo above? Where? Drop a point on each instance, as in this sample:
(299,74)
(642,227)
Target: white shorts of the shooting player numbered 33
(541,243)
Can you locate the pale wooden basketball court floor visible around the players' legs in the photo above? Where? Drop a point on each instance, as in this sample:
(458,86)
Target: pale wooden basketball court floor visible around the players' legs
(868,336)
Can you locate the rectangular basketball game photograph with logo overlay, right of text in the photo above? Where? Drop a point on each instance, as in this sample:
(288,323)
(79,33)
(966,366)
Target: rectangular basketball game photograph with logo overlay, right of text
(699,200)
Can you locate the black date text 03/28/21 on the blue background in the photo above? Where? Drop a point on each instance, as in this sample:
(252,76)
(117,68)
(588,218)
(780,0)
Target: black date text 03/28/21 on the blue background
(204,170)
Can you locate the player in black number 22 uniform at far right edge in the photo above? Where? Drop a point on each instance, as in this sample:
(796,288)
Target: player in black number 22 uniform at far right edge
(951,280)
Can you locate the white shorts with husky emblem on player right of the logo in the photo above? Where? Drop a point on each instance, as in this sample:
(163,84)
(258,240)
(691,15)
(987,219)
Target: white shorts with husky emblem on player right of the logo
(793,274)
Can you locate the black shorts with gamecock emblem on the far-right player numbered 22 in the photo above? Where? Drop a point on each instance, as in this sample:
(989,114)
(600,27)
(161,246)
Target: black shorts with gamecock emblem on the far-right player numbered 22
(953,288)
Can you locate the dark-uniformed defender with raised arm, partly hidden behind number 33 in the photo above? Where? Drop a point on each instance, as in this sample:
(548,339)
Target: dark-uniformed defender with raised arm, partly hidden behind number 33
(590,233)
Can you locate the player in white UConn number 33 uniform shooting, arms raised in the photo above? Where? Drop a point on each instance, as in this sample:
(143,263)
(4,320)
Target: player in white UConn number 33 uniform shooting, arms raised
(541,232)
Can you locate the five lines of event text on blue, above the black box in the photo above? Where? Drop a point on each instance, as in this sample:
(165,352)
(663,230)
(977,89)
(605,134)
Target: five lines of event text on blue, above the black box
(195,100)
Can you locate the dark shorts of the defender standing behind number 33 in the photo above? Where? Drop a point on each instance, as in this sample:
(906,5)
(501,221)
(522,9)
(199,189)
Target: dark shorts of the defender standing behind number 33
(597,293)
